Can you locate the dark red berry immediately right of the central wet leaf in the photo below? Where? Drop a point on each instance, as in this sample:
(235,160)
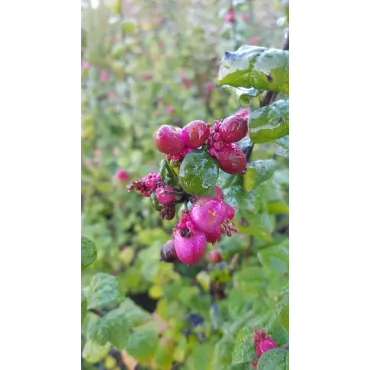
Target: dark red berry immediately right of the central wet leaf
(231,159)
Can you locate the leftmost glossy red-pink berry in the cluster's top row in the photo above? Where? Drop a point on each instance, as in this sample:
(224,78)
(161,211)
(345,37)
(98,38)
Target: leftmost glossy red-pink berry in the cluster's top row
(168,140)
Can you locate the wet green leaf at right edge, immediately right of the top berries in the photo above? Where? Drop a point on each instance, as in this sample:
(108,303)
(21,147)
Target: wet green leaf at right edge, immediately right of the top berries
(270,123)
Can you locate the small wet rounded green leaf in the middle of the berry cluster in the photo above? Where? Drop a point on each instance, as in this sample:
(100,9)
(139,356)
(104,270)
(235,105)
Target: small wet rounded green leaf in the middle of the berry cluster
(198,173)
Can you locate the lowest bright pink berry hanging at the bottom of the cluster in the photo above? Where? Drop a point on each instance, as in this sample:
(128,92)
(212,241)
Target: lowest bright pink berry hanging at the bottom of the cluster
(190,250)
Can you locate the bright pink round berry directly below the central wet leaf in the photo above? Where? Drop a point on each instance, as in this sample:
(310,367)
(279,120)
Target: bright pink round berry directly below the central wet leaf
(208,213)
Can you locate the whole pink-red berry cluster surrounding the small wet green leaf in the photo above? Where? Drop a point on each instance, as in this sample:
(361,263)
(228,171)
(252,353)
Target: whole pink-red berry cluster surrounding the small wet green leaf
(204,219)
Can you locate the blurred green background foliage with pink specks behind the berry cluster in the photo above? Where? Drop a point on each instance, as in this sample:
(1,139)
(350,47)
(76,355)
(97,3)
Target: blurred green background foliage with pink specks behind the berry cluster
(145,64)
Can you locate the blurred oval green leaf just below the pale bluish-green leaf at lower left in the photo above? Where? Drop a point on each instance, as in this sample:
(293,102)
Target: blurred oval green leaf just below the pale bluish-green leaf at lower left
(117,328)
